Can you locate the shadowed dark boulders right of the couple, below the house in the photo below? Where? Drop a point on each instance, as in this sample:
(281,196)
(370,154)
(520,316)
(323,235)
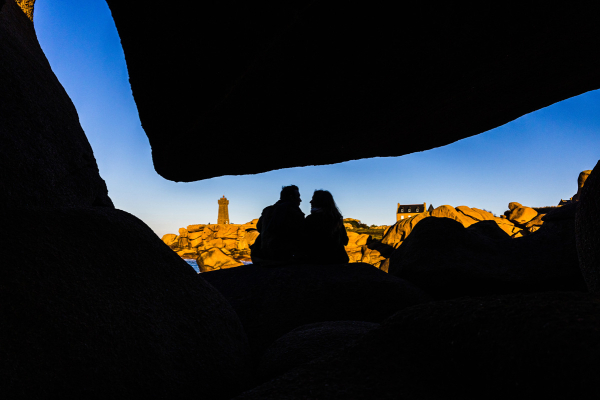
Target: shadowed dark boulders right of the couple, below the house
(448,260)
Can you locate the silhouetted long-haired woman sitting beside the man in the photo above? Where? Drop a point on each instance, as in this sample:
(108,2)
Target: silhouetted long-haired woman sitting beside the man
(325,235)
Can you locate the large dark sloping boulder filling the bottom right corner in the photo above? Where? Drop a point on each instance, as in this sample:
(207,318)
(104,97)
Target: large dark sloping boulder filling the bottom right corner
(539,346)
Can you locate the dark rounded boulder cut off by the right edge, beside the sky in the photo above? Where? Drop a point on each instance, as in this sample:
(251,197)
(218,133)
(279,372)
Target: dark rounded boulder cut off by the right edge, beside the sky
(587,226)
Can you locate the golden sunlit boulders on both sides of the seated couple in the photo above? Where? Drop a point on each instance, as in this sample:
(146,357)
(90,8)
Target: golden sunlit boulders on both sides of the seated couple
(234,241)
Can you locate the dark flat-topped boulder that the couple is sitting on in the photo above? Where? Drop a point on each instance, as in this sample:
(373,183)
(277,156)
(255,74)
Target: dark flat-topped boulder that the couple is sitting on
(272,301)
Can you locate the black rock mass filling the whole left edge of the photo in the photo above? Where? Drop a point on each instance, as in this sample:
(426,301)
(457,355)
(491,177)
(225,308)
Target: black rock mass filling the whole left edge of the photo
(85,312)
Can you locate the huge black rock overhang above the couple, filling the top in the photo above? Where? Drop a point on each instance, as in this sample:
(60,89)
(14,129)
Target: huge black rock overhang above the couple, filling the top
(285,84)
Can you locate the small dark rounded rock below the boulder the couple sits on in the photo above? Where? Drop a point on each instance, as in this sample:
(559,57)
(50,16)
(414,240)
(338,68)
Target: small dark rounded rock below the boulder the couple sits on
(309,342)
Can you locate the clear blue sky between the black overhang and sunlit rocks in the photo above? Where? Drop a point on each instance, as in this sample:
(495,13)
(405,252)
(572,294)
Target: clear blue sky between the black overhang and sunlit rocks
(534,160)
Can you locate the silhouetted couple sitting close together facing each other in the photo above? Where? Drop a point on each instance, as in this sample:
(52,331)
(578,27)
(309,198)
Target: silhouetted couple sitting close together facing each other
(285,236)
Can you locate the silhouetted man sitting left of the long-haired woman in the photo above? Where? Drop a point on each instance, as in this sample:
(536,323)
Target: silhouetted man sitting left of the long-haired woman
(279,227)
